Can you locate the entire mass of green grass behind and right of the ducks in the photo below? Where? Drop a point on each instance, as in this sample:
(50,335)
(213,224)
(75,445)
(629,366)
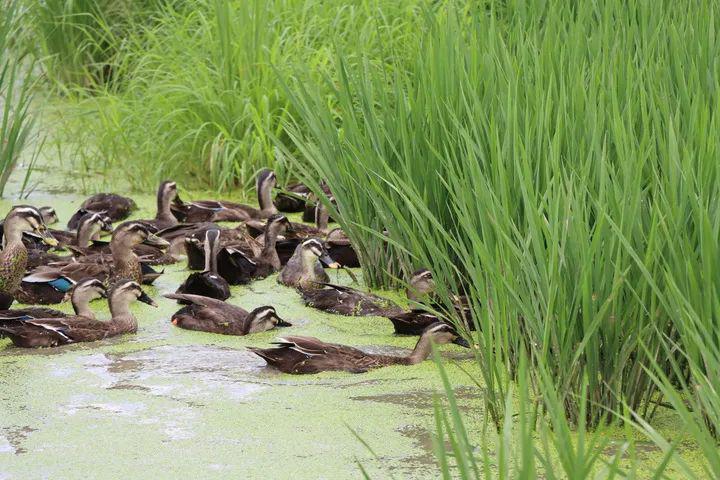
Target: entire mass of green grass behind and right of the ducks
(555,162)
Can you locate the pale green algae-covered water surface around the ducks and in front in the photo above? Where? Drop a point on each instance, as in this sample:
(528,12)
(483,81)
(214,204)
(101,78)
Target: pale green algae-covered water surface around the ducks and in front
(167,402)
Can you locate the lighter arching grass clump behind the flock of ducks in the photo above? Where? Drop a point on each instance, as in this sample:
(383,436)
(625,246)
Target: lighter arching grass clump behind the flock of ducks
(200,94)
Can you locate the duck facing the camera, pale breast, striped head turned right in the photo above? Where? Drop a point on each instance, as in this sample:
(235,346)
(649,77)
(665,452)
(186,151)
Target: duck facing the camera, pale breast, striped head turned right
(305,267)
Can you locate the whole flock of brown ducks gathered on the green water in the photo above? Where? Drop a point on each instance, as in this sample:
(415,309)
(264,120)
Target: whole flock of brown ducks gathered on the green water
(42,266)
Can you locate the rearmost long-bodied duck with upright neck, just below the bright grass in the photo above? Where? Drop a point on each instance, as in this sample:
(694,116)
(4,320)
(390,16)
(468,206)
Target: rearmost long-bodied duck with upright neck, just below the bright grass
(222,211)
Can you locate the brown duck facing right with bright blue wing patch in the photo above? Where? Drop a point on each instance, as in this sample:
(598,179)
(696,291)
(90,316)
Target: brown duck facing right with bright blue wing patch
(50,283)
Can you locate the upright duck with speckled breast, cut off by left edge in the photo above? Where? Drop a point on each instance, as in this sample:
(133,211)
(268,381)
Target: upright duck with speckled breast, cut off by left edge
(14,256)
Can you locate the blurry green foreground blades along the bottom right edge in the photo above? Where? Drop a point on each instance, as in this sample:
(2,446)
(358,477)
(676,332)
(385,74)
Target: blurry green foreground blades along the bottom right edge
(531,444)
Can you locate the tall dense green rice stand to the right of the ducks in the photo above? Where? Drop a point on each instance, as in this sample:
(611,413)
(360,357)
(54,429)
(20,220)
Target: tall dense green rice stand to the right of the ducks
(557,164)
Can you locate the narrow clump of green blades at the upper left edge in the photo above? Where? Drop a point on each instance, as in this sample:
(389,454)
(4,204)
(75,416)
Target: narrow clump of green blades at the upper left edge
(16,120)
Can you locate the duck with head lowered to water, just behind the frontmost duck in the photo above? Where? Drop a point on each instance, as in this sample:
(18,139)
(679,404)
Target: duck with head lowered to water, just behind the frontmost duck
(206,314)
